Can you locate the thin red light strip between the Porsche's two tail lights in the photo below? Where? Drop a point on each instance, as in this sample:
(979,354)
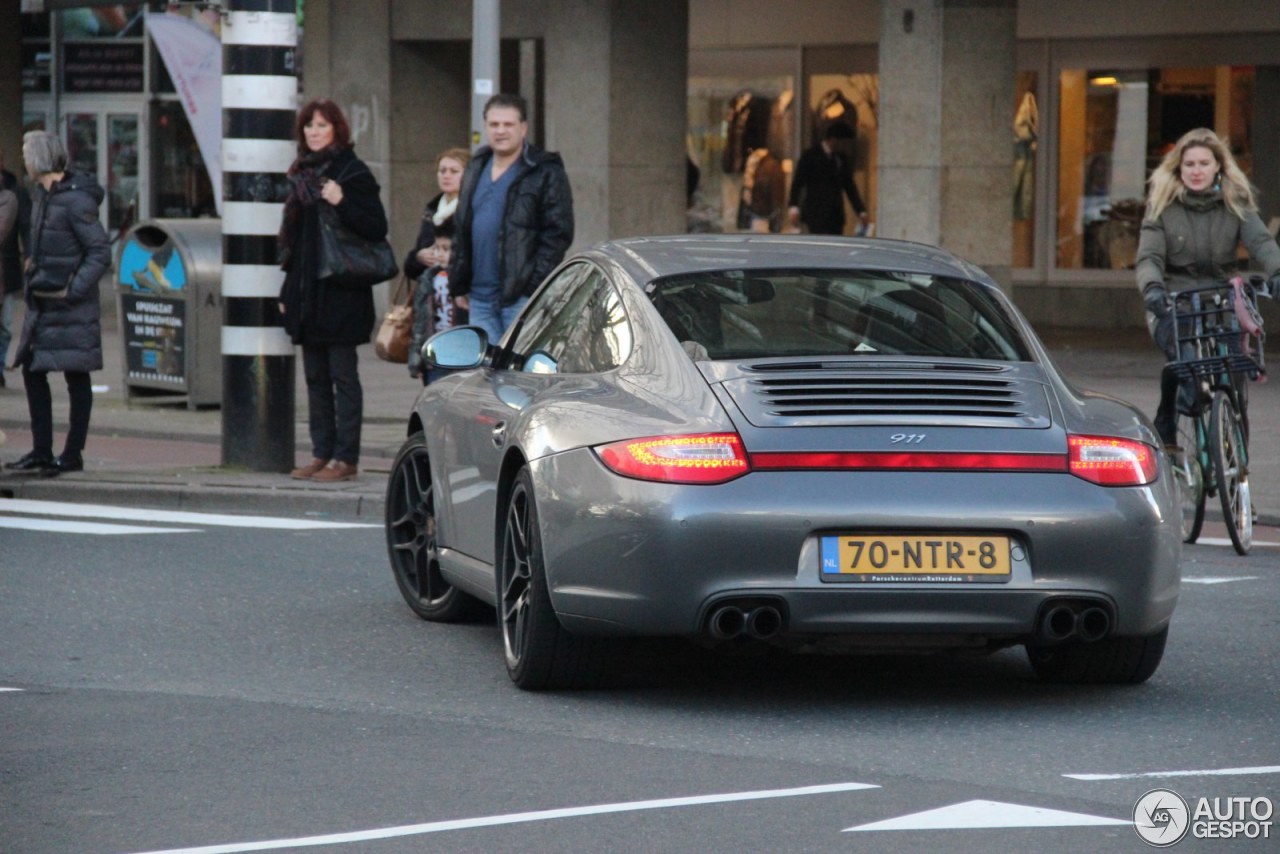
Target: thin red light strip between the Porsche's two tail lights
(909,462)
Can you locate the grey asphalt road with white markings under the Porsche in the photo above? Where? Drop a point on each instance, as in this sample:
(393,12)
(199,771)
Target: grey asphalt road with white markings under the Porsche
(196,684)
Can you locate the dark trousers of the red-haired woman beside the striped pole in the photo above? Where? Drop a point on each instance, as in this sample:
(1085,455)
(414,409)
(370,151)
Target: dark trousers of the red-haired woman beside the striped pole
(336,401)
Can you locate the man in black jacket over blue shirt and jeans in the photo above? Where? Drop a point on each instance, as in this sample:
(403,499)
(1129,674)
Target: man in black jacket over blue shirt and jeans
(515,220)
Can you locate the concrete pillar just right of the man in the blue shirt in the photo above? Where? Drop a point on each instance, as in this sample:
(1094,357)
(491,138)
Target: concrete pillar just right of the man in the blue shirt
(616,111)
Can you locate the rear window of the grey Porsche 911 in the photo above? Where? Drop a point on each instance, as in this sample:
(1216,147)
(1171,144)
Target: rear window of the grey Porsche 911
(755,314)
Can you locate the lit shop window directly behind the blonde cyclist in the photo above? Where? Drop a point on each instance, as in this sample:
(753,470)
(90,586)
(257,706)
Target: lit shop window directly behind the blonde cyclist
(1116,126)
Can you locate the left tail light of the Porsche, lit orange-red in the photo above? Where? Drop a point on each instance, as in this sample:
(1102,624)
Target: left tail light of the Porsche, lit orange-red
(703,459)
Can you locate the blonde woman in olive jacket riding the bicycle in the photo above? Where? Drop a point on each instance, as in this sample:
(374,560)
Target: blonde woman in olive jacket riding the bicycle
(1200,209)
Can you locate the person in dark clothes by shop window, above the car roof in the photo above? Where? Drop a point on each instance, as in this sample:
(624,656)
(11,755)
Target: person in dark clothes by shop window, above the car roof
(822,175)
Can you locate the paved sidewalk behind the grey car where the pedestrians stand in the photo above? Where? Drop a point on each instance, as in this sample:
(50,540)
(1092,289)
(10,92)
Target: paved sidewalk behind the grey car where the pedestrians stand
(170,456)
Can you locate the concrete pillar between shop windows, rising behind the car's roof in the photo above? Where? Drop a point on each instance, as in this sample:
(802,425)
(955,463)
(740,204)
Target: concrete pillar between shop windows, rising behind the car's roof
(947,74)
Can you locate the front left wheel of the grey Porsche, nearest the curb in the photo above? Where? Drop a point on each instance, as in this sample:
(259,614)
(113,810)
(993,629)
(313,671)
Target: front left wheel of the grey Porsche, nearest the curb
(412,540)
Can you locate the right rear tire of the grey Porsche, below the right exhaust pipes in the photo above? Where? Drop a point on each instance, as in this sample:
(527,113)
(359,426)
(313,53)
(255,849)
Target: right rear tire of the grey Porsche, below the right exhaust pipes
(1112,661)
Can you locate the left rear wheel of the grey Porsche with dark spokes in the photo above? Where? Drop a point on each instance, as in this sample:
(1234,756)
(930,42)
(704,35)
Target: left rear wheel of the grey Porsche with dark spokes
(541,654)
